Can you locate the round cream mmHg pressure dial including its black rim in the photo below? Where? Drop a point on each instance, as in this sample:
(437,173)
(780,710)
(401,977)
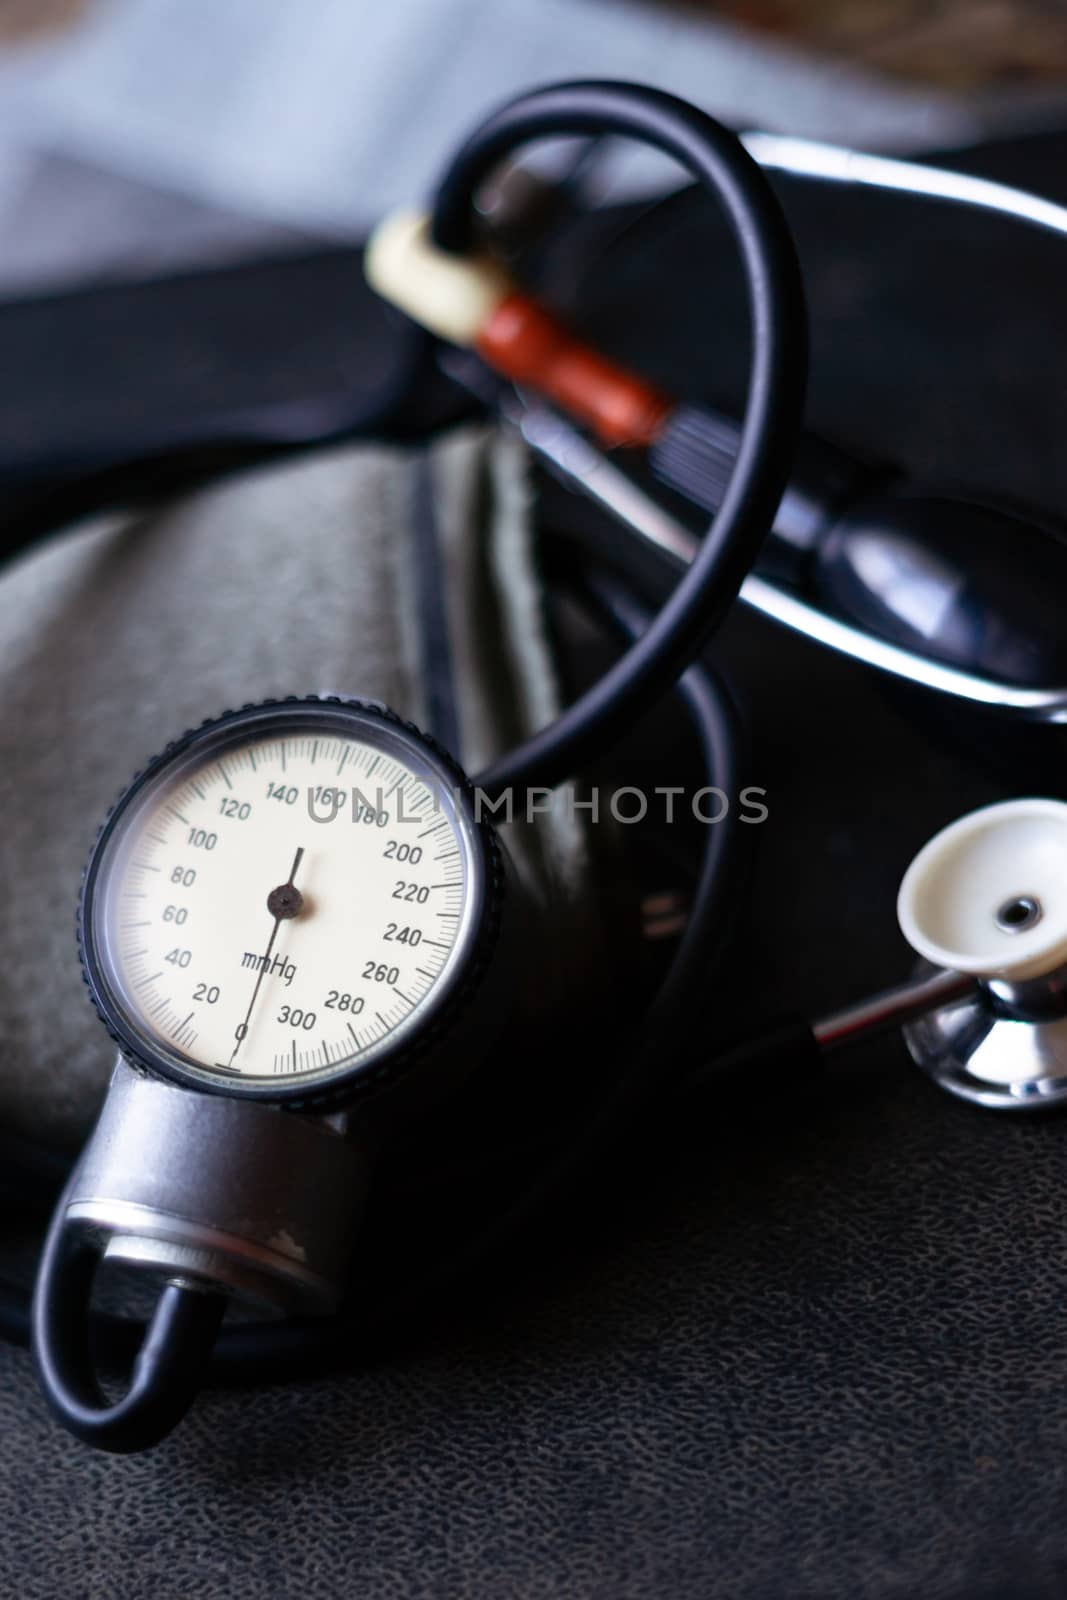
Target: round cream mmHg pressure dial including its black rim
(282,900)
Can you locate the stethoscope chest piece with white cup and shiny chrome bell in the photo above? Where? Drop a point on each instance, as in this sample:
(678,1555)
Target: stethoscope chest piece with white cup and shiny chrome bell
(988,898)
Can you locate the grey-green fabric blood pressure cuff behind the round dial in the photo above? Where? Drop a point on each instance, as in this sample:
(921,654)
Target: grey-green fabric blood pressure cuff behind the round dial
(380,574)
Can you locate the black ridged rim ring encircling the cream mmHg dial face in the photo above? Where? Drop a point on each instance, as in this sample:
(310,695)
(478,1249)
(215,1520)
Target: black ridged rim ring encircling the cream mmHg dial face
(417,1034)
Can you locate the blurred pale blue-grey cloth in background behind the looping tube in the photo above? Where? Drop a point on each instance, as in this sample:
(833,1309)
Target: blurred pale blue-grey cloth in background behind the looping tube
(322,114)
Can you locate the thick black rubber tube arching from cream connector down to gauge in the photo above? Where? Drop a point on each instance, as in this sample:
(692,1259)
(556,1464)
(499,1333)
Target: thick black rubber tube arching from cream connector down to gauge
(772,415)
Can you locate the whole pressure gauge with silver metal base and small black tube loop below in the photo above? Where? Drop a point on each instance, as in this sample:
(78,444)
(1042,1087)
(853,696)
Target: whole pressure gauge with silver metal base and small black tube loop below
(290,926)
